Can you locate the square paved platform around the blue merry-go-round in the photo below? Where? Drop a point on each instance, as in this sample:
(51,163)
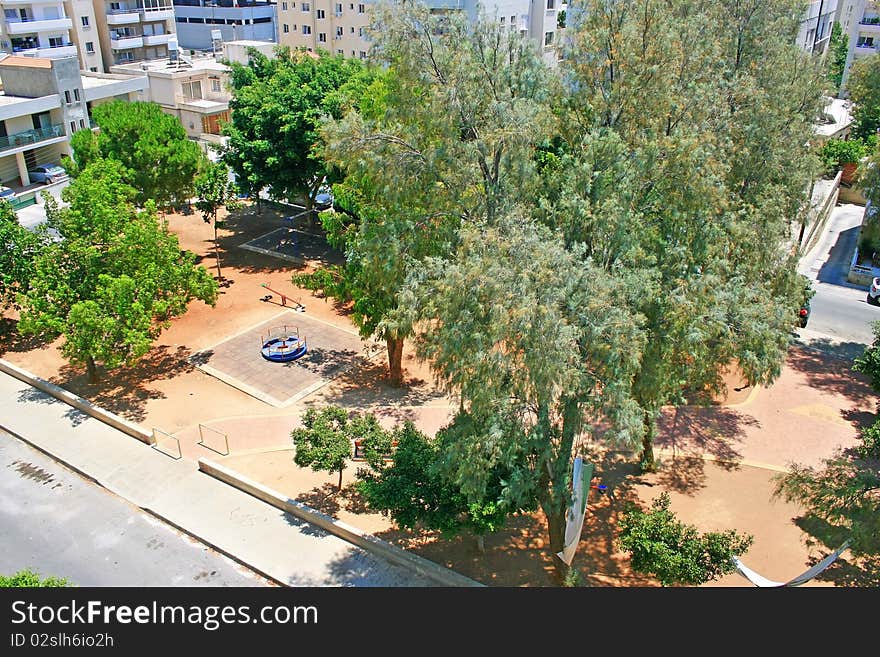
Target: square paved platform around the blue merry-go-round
(237,361)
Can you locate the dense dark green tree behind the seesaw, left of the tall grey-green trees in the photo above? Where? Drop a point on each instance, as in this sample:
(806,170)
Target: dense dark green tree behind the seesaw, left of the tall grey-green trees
(277,106)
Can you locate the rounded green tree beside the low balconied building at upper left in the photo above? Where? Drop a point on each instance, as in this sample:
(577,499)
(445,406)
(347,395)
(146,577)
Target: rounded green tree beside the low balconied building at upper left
(150,146)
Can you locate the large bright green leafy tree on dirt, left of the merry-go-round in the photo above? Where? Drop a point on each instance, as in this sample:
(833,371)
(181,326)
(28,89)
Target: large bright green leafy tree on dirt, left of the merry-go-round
(114,279)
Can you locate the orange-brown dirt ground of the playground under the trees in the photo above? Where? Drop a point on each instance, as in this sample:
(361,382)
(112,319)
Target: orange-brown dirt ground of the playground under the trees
(717,463)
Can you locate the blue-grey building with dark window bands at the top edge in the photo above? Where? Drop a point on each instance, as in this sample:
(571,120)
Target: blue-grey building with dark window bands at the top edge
(198,22)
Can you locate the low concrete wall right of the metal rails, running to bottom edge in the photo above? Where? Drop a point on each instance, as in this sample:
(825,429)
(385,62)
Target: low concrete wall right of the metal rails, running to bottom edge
(395,555)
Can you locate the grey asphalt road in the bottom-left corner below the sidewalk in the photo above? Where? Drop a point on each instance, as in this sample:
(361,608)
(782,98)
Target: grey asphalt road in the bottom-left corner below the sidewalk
(57,523)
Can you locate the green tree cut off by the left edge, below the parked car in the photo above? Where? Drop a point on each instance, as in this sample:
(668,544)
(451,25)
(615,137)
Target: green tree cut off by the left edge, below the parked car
(18,248)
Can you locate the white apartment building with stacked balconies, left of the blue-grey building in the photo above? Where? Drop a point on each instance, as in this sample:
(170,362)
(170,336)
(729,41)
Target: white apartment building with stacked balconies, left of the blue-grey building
(133,30)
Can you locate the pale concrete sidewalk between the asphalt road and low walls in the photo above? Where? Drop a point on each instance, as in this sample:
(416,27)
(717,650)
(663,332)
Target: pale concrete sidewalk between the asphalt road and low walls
(275,544)
